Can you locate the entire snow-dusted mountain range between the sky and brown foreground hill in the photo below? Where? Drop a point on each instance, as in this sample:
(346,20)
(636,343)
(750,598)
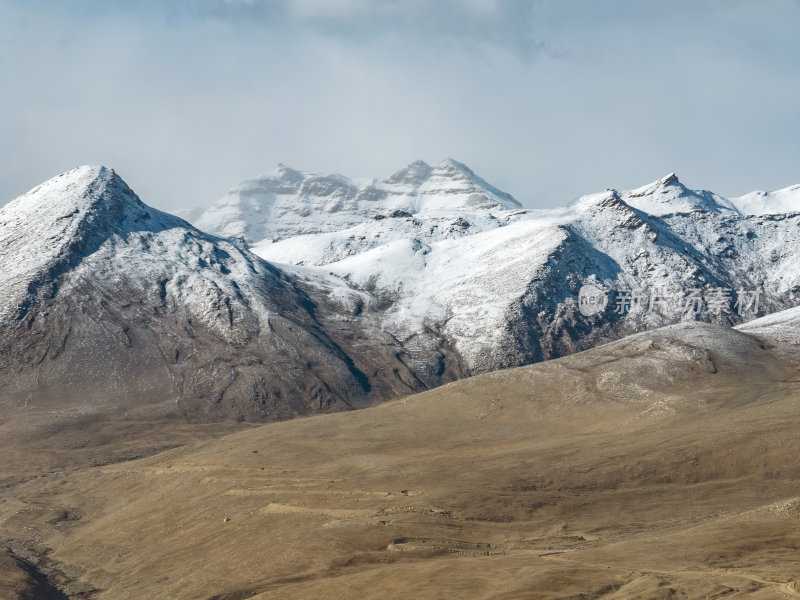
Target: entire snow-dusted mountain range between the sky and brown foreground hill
(299,293)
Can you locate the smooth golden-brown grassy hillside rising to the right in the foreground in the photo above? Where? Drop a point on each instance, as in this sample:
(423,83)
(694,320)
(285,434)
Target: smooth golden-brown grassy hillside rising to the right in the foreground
(663,465)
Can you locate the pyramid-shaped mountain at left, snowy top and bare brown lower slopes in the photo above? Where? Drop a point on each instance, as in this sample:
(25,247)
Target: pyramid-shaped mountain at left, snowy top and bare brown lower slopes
(105,300)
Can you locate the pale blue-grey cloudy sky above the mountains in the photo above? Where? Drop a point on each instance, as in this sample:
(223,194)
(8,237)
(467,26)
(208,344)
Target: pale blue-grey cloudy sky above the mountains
(547,99)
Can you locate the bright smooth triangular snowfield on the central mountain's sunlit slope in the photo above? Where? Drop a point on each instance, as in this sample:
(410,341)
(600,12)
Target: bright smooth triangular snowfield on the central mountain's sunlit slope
(463,287)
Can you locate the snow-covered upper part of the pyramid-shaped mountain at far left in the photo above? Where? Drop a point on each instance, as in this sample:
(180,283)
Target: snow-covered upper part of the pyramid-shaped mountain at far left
(76,217)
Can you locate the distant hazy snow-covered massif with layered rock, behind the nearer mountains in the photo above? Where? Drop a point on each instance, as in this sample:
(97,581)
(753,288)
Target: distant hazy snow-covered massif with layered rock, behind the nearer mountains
(285,202)
